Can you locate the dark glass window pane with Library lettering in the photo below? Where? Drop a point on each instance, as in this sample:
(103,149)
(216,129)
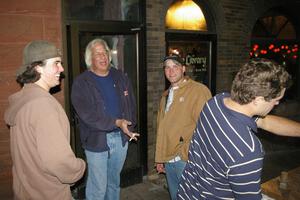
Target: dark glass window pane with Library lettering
(199,54)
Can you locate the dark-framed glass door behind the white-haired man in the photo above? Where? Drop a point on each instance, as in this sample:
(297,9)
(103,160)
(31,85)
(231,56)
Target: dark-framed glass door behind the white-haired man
(125,42)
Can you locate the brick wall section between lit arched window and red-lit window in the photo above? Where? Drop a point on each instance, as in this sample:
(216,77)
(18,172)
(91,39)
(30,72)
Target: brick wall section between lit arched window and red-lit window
(233,31)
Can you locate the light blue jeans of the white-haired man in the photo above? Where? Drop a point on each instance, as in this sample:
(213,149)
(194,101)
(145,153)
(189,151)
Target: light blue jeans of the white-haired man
(104,168)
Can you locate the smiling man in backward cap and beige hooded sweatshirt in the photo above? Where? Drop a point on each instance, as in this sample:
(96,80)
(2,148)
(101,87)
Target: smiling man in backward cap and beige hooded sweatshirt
(44,165)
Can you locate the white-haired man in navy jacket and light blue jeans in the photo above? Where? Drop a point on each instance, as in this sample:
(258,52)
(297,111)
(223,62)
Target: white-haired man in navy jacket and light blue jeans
(105,104)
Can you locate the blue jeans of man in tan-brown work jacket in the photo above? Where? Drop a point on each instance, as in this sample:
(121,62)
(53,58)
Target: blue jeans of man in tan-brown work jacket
(173,172)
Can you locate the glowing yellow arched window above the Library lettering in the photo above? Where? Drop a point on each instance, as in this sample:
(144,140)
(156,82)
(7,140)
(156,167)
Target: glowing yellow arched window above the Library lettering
(185,15)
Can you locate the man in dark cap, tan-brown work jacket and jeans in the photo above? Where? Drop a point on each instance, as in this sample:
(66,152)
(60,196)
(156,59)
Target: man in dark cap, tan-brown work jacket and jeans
(178,113)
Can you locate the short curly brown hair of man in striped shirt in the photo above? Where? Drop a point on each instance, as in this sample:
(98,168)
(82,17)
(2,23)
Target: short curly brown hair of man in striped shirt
(259,77)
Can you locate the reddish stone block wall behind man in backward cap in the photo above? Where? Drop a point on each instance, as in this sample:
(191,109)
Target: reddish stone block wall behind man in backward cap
(22,21)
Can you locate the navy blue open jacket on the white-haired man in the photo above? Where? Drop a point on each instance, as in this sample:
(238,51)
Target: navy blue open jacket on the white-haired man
(94,122)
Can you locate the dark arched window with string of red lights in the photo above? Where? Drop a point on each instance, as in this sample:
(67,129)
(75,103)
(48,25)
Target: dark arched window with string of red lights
(274,37)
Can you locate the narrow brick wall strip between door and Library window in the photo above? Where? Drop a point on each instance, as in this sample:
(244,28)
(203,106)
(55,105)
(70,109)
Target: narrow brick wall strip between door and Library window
(155,17)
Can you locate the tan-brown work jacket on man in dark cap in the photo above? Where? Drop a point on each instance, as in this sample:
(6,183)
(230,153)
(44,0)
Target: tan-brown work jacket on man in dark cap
(175,128)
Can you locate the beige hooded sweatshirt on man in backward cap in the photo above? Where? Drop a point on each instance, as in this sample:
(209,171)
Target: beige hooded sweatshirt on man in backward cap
(44,164)
